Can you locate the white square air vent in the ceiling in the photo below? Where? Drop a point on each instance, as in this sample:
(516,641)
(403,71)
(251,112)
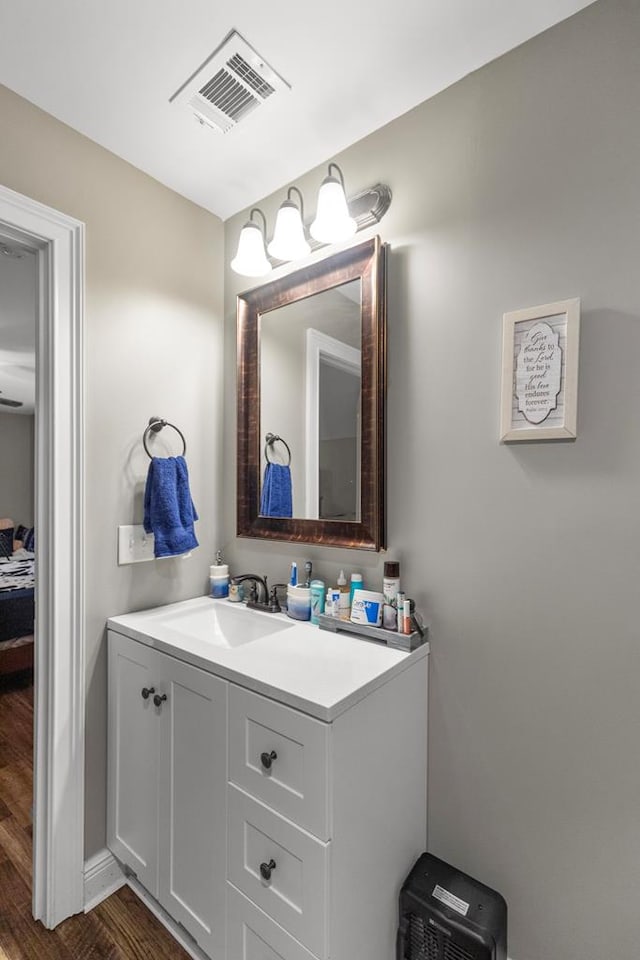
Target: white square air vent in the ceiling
(229,85)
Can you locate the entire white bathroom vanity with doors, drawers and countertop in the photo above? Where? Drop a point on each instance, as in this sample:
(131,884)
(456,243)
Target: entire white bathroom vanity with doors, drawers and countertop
(269,831)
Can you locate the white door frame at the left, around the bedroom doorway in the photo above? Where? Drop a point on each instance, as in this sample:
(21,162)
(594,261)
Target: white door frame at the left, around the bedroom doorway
(58,862)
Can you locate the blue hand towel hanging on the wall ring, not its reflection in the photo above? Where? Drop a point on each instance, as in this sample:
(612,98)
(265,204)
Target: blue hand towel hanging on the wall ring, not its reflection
(169,512)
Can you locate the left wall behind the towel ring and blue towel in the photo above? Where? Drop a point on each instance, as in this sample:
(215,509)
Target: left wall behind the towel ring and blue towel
(153,346)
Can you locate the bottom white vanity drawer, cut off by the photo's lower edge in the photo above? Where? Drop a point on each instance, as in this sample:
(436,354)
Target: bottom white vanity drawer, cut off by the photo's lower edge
(252,935)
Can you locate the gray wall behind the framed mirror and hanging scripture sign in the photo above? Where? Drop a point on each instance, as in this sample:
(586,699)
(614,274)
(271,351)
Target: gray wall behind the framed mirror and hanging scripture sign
(518,186)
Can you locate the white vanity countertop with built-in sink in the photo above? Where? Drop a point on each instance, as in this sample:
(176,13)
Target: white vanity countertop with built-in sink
(313,670)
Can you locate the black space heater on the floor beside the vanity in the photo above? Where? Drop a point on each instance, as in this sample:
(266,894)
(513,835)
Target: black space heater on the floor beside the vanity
(447,915)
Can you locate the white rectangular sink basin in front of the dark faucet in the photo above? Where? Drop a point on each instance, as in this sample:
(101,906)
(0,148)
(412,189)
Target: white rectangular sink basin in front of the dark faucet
(220,623)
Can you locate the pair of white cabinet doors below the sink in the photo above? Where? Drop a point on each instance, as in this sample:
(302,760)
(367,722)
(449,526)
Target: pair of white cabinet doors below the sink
(167,783)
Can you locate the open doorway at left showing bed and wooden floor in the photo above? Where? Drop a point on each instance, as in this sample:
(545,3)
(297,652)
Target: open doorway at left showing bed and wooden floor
(18,298)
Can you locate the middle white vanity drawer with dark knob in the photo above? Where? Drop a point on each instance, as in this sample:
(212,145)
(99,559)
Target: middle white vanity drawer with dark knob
(295,893)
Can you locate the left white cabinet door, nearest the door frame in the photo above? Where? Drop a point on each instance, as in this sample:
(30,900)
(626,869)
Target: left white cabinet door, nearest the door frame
(134,737)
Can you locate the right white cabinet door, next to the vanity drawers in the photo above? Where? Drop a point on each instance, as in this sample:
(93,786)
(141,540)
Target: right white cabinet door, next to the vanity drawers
(192,815)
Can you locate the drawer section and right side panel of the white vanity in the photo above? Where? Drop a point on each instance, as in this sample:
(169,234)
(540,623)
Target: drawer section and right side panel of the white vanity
(339,817)
